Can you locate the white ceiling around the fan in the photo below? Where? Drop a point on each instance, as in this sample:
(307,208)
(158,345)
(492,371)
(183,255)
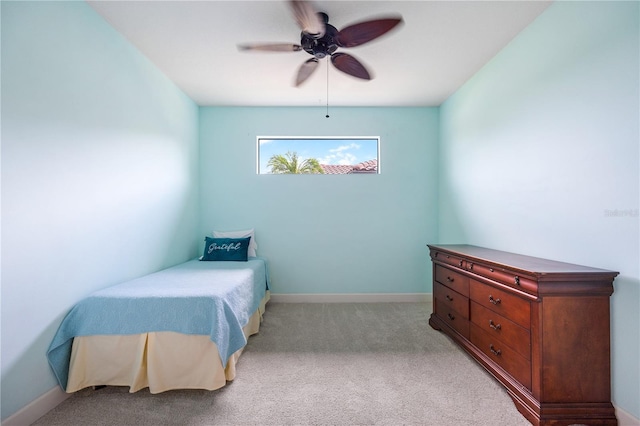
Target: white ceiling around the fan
(439,46)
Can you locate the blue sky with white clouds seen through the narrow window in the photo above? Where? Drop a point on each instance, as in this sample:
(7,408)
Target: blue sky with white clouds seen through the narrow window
(339,151)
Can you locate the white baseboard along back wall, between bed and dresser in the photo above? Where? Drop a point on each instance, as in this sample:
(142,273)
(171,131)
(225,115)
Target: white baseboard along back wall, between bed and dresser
(351,298)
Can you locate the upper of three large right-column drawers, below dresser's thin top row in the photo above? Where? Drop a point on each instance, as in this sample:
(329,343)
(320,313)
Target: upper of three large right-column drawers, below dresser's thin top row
(508,305)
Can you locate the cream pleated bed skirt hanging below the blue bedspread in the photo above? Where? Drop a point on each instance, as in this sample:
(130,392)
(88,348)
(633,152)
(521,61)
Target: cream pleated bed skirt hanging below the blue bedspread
(161,361)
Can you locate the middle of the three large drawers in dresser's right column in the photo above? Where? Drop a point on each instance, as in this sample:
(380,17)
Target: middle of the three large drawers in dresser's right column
(507,331)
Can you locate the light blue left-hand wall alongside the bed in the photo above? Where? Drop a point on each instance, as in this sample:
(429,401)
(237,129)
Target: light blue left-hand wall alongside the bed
(99,176)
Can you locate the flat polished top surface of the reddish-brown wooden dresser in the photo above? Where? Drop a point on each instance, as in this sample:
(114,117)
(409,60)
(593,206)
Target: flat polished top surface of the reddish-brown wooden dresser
(535,265)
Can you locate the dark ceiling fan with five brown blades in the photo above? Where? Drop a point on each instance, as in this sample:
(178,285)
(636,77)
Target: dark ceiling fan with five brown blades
(321,39)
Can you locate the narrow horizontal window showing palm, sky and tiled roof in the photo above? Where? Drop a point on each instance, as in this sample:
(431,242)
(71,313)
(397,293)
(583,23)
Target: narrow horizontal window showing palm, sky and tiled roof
(318,155)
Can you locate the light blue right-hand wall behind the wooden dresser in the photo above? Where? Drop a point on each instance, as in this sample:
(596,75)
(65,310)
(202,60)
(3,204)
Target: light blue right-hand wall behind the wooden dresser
(541,148)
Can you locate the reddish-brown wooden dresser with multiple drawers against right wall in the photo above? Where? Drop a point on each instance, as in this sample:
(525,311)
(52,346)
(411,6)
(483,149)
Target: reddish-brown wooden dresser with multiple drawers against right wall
(540,327)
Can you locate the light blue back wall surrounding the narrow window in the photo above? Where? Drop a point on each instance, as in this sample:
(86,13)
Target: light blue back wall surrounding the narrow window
(327,234)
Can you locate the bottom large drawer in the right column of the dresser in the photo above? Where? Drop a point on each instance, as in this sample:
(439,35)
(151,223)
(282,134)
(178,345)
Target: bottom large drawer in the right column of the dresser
(503,355)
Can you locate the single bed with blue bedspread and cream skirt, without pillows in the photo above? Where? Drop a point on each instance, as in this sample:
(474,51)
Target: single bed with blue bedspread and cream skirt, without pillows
(181,328)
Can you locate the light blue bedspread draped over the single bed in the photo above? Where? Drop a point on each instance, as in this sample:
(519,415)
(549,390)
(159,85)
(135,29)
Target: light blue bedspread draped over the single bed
(206,298)
